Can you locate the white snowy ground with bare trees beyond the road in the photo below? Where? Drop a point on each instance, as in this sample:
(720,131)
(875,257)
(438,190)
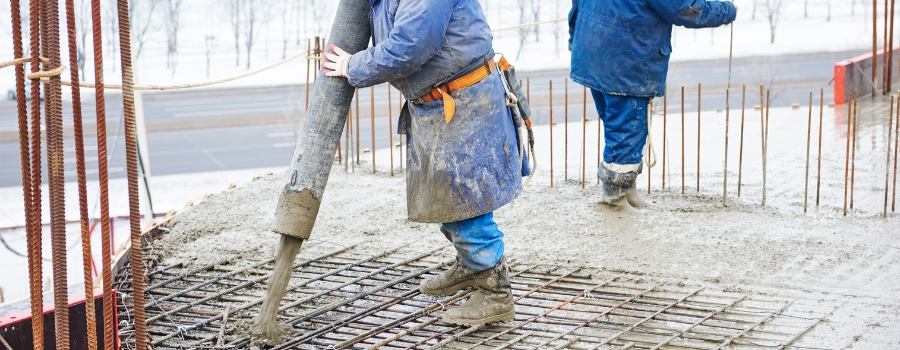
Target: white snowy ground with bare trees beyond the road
(848,27)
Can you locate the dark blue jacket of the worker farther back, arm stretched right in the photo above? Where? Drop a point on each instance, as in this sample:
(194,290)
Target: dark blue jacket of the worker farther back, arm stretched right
(622,47)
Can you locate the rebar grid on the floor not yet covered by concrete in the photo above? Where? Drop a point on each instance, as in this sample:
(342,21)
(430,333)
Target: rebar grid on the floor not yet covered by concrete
(349,298)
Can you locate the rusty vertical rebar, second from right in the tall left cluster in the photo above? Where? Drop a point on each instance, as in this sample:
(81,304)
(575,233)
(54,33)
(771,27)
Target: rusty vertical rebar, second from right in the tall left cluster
(106,238)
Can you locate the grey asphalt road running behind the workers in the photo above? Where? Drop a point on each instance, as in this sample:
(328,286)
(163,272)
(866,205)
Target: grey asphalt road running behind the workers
(267,117)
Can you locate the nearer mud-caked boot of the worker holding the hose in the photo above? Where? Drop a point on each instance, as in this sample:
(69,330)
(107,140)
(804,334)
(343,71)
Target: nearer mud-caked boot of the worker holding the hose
(493,302)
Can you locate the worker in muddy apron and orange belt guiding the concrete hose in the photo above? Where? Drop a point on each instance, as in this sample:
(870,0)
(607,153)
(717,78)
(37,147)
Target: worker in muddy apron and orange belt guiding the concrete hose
(464,153)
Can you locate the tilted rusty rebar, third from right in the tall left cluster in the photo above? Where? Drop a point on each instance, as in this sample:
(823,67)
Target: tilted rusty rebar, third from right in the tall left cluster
(90,318)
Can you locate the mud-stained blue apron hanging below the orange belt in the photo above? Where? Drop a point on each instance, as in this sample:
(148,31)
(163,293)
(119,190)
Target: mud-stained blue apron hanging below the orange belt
(467,167)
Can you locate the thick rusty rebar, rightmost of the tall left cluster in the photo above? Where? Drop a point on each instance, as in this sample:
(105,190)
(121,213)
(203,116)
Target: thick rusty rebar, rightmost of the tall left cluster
(134,216)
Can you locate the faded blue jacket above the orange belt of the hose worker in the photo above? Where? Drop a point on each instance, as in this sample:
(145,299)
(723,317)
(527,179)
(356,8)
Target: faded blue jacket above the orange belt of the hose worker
(420,44)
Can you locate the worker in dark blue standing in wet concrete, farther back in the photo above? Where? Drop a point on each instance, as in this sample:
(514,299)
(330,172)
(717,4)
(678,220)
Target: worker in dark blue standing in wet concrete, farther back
(620,50)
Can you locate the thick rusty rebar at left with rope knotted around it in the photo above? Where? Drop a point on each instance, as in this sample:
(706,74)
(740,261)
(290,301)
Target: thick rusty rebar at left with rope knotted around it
(50,40)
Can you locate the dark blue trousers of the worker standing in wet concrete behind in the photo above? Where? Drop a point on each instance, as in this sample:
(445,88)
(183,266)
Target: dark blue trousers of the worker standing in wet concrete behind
(625,126)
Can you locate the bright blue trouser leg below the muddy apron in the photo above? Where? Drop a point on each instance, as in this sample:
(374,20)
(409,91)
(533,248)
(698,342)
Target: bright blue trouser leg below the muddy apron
(478,242)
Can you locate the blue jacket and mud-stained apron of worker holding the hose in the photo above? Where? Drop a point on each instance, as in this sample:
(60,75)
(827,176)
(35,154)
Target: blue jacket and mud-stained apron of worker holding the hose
(472,165)
